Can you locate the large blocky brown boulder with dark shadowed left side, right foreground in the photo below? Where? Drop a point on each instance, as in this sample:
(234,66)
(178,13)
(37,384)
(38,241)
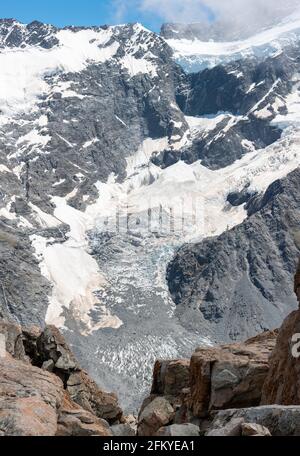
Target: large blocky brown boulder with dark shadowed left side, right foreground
(230,375)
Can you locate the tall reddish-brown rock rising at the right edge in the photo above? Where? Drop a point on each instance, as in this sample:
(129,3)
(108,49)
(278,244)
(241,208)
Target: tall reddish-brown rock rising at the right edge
(282,385)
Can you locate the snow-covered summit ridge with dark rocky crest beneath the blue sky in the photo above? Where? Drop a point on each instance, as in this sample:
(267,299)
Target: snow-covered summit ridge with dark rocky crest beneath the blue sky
(30,53)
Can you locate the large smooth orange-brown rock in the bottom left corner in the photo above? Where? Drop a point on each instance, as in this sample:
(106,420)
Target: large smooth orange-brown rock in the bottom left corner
(29,399)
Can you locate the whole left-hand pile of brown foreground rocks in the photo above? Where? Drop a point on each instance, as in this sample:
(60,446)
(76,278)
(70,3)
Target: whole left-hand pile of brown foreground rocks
(43,390)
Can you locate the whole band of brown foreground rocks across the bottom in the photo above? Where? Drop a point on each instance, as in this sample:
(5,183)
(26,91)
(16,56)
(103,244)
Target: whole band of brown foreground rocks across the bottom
(249,389)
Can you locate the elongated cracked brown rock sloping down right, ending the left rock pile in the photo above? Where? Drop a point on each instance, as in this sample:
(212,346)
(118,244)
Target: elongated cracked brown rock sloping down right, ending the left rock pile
(89,396)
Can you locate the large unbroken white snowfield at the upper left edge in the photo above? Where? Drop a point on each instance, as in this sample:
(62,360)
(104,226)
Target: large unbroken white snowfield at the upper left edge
(23,70)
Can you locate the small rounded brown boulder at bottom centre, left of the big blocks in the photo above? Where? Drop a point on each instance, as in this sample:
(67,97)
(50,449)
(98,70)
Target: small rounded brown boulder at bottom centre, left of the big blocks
(155,415)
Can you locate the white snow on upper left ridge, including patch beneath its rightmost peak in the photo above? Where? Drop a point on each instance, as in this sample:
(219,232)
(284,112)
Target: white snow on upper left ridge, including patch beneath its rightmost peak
(24,67)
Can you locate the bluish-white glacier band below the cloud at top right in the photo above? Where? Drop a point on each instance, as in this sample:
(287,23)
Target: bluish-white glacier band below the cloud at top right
(195,55)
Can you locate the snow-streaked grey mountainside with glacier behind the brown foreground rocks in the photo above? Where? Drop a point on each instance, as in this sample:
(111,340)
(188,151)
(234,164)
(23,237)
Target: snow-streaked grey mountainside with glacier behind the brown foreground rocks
(112,159)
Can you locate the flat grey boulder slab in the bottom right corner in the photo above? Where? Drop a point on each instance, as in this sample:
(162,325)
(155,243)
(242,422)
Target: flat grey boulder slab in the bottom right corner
(279,420)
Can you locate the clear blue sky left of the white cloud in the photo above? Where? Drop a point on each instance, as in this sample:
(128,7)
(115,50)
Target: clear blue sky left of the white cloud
(75,12)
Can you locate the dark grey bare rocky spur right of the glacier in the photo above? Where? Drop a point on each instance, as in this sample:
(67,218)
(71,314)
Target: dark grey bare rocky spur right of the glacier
(240,282)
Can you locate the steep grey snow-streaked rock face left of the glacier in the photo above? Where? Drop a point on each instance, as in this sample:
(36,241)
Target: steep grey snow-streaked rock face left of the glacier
(91,119)
